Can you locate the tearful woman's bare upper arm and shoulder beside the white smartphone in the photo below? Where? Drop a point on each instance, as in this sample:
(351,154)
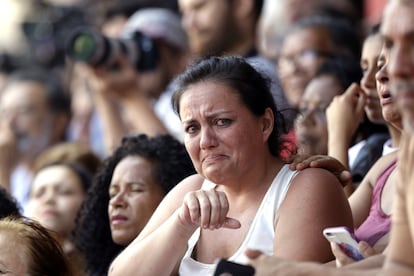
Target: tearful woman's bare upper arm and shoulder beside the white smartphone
(314,201)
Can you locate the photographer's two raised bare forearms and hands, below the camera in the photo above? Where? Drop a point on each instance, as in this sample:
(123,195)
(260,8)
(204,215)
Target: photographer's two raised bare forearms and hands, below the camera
(121,105)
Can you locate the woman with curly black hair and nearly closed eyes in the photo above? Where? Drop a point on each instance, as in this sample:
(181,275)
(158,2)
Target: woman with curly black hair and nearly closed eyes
(125,191)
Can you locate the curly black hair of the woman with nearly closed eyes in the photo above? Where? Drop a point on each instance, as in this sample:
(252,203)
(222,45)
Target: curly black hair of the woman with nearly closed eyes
(92,233)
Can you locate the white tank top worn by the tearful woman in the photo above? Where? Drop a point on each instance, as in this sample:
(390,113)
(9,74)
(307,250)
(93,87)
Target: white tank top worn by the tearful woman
(260,235)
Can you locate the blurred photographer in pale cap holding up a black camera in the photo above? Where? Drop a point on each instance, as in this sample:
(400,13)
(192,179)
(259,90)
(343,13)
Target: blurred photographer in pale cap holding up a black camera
(130,76)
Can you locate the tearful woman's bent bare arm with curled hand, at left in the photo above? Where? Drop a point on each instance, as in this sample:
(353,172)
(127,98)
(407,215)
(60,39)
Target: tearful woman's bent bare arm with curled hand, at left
(161,245)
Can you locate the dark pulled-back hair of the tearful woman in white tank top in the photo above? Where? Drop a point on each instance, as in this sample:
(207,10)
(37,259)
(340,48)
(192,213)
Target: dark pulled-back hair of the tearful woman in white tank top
(252,87)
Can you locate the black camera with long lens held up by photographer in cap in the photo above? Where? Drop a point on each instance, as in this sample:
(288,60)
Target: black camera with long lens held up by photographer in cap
(90,46)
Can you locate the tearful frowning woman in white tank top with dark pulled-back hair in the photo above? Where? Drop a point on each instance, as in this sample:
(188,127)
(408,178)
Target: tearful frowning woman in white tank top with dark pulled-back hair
(243,195)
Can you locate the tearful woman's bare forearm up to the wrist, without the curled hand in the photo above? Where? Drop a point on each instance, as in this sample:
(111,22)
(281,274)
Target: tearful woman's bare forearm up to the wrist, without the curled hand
(156,254)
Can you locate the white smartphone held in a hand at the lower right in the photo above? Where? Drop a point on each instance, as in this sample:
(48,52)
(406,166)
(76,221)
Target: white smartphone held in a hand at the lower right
(343,236)
